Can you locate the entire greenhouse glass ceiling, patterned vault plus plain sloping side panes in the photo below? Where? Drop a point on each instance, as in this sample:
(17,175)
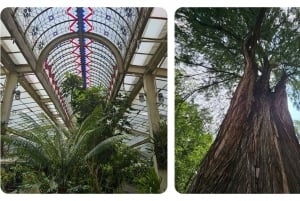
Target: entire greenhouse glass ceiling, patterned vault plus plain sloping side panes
(70,34)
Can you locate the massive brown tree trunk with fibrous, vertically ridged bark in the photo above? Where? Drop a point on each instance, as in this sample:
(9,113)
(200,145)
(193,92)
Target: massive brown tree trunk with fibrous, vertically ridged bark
(256,149)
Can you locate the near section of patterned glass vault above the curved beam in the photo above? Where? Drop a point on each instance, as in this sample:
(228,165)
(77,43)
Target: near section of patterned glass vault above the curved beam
(43,25)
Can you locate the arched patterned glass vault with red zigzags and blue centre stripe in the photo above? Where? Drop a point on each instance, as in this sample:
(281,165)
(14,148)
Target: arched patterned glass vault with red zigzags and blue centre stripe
(95,62)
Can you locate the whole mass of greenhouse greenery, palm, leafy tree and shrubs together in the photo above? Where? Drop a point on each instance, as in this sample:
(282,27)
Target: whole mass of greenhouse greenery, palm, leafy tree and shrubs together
(90,158)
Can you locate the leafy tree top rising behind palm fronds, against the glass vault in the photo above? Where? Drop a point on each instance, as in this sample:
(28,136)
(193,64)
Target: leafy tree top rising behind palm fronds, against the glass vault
(85,101)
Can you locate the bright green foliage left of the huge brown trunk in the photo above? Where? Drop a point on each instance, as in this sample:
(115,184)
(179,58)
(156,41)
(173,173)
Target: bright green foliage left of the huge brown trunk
(191,140)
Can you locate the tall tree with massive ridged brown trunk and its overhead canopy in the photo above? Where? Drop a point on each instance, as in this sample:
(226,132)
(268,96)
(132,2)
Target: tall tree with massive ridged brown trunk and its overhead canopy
(256,149)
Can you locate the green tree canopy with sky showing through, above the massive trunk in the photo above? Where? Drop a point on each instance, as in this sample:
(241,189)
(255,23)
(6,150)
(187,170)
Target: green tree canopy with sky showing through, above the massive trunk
(211,39)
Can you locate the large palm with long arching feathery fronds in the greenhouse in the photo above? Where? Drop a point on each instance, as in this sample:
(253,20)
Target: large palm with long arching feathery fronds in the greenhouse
(61,153)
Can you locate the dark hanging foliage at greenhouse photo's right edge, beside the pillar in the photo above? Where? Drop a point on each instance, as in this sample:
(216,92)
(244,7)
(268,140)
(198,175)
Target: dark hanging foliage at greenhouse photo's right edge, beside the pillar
(160,142)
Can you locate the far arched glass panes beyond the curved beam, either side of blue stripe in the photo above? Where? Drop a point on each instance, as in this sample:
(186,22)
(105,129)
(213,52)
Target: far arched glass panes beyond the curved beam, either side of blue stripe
(100,62)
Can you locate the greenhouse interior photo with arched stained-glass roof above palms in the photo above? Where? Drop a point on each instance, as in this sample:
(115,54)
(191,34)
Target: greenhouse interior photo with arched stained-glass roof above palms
(83,100)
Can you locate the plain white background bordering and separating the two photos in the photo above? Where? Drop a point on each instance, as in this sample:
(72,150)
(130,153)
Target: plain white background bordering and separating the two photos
(170,6)
